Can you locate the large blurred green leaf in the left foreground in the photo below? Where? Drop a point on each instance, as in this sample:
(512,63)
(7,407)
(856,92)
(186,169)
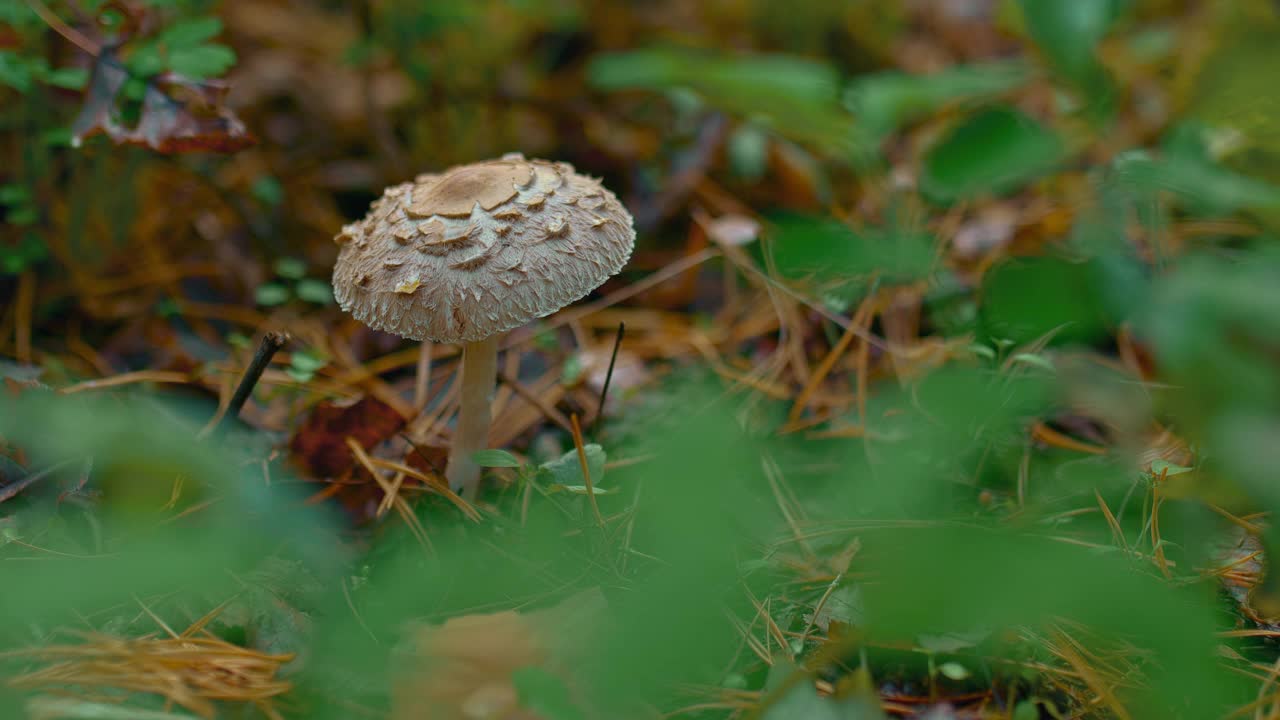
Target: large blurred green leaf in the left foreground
(177,513)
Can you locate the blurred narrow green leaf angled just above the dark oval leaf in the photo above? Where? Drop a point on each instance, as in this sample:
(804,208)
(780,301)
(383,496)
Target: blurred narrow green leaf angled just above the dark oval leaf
(885,102)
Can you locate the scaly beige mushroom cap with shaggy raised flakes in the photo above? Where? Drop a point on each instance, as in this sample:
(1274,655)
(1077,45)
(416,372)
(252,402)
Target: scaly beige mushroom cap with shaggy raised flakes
(481,249)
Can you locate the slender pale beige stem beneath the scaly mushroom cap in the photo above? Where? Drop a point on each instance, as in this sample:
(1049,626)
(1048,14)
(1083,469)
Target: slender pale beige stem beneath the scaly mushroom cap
(479,376)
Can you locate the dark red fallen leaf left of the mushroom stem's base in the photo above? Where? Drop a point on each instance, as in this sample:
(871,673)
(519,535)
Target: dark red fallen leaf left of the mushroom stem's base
(321,446)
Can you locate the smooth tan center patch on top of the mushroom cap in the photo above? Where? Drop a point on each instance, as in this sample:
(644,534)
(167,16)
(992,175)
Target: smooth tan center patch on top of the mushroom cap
(458,192)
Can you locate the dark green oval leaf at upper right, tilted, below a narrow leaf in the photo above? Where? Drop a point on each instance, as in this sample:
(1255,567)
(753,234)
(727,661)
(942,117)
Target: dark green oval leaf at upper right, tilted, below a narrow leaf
(993,153)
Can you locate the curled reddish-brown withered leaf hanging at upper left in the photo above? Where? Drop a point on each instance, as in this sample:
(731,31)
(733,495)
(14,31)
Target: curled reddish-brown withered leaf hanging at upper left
(179,116)
